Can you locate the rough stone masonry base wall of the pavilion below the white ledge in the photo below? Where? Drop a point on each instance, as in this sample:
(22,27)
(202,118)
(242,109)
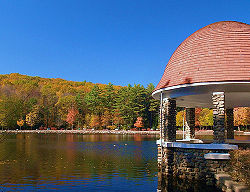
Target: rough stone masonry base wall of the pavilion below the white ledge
(190,164)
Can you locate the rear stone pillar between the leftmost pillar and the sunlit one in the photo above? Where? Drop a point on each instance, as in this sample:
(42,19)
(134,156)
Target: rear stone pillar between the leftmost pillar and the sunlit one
(190,128)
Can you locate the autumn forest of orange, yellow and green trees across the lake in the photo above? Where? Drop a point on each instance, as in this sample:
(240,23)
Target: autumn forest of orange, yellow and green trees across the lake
(28,102)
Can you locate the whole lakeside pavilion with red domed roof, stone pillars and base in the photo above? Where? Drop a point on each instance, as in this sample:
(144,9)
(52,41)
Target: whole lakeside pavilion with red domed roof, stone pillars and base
(211,69)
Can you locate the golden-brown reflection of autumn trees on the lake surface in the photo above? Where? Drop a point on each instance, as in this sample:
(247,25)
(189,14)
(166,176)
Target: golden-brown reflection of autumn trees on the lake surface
(53,157)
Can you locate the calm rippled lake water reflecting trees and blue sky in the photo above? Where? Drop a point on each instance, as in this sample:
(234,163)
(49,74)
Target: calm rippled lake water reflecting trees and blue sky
(52,162)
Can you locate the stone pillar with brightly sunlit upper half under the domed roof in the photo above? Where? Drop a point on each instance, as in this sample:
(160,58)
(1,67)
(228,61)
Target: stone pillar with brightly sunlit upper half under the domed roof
(219,117)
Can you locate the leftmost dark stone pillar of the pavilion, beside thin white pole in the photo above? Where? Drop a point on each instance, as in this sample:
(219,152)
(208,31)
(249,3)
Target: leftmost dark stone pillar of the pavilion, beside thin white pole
(169,120)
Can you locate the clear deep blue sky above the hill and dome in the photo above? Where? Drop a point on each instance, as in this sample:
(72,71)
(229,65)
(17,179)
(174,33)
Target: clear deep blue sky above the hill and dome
(102,41)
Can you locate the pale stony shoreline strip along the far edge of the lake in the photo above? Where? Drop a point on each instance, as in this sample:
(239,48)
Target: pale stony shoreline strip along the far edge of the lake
(112,132)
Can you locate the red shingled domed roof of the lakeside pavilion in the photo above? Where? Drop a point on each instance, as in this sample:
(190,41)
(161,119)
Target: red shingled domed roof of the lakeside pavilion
(217,52)
